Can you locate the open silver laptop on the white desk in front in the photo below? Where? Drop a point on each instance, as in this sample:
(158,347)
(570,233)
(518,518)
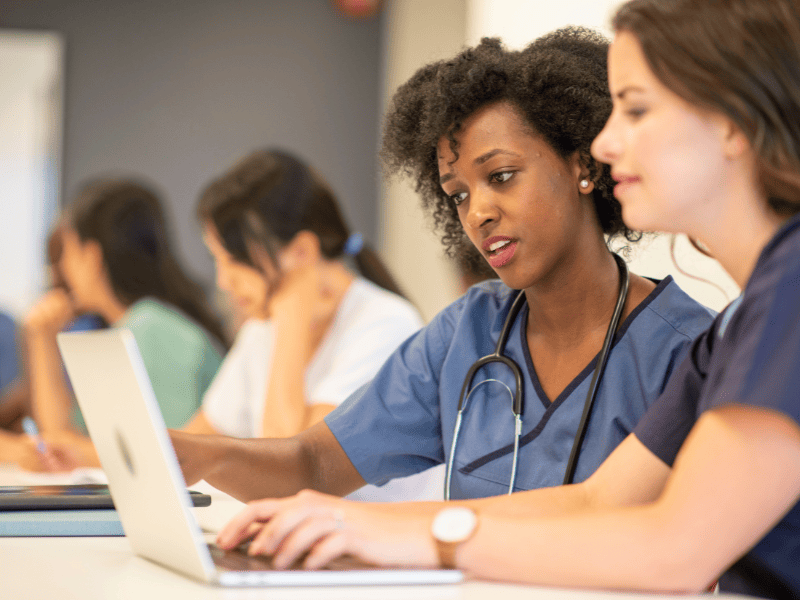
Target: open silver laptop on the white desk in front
(147,486)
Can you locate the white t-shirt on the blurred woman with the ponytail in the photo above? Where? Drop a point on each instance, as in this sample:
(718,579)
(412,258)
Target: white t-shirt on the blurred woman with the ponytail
(369,325)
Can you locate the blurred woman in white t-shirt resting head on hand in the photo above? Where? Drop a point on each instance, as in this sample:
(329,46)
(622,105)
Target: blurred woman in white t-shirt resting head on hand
(315,332)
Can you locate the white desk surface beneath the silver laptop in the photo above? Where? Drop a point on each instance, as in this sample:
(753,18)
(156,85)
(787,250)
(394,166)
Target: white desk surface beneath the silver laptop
(103,568)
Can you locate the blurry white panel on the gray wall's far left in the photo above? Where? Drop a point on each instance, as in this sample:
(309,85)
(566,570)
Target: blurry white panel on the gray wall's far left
(31,109)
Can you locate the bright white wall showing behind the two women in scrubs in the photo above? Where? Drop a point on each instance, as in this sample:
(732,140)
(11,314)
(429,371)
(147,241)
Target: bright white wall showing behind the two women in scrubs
(518,22)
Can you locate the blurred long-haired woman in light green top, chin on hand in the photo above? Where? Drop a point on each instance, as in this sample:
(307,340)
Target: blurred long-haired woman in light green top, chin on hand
(116,262)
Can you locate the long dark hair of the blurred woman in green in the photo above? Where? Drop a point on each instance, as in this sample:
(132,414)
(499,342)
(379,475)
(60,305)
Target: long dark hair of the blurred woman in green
(127,220)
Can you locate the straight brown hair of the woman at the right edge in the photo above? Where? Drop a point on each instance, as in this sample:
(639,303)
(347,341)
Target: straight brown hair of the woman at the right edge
(740,58)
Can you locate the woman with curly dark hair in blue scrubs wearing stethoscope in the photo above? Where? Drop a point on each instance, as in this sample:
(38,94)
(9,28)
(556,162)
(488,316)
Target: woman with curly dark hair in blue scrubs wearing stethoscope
(498,143)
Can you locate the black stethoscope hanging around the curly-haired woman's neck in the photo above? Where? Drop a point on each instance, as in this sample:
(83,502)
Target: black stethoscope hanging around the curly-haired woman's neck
(516,406)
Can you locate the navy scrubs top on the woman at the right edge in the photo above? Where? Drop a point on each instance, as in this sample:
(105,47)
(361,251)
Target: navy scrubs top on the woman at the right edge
(750,356)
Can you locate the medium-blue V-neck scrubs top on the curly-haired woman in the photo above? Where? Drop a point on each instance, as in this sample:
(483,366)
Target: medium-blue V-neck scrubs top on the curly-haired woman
(402,422)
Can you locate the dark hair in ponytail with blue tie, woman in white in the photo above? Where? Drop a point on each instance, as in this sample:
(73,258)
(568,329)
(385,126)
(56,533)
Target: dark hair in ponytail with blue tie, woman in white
(268,198)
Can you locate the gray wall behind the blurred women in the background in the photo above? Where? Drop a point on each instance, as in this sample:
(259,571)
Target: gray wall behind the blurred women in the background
(177,90)
